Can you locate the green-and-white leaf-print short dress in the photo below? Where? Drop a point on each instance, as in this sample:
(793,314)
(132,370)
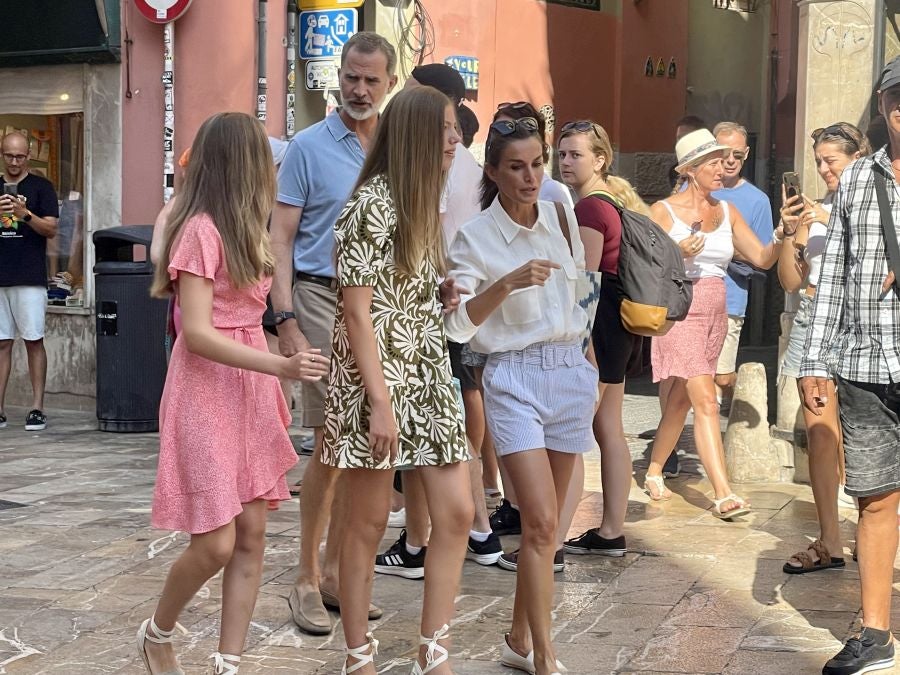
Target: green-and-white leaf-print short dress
(409,331)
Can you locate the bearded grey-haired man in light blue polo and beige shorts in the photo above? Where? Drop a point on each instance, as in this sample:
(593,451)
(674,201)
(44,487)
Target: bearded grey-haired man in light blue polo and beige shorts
(318,173)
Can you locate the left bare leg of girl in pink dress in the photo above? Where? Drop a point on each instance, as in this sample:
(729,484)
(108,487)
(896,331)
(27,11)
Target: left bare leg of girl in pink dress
(201,560)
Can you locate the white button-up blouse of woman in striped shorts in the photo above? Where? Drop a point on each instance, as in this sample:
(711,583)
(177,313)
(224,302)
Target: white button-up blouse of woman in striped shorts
(492,245)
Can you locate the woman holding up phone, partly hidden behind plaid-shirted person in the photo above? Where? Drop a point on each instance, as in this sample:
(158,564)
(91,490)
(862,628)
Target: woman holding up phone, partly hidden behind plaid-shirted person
(805,229)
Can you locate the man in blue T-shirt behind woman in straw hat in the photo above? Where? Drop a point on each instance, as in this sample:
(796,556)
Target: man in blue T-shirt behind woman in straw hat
(757,211)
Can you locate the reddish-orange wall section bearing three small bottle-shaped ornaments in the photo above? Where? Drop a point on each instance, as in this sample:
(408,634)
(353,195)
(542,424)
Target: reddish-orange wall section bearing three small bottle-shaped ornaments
(647,108)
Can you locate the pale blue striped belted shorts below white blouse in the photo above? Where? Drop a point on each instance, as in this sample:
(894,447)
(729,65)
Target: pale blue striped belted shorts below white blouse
(540,397)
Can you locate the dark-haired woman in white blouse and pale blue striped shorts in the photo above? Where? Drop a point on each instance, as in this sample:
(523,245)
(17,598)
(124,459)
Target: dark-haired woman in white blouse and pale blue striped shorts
(516,260)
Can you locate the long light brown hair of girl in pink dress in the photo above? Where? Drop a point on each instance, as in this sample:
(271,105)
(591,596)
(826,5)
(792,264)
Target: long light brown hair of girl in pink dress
(230,178)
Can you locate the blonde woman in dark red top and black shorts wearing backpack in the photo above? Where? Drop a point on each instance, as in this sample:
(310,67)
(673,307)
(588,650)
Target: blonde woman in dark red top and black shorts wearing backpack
(585,156)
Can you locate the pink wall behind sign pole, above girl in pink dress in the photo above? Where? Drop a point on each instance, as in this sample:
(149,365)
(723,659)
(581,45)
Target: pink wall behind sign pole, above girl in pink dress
(215,70)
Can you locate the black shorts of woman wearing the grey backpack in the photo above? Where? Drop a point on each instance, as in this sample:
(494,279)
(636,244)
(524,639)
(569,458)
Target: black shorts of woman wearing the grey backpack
(617,351)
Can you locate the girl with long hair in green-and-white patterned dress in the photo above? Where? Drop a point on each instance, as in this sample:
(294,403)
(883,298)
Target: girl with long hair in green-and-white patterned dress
(391,402)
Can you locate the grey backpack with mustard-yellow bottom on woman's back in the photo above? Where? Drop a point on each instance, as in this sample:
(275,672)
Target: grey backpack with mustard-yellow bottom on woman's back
(656,291)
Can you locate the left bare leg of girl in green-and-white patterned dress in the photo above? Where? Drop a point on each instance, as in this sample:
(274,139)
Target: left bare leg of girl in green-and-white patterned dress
(368,500)
